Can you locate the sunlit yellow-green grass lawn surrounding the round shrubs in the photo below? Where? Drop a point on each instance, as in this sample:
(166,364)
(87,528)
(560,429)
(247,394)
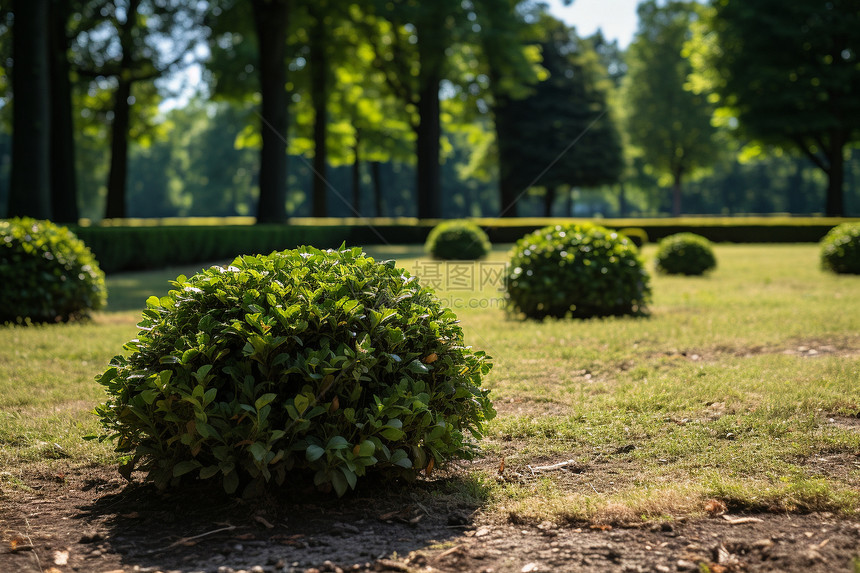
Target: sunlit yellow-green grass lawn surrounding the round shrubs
(741,386)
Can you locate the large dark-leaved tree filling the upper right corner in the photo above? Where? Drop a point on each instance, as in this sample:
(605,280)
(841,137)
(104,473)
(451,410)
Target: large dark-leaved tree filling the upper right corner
(789,73)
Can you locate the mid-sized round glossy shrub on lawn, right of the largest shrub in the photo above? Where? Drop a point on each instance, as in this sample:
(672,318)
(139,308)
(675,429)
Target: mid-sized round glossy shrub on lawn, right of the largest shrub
(578,270)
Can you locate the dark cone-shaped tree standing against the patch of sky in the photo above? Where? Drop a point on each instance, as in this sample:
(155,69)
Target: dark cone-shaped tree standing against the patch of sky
(562,133)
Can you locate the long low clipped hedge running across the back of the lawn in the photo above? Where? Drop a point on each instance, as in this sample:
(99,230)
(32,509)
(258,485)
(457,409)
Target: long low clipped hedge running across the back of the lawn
(121,247)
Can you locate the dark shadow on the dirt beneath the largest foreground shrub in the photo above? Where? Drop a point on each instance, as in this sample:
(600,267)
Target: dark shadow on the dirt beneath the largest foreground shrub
(296,527)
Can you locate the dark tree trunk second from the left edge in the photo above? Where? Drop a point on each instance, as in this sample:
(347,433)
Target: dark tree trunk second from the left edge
(64,188)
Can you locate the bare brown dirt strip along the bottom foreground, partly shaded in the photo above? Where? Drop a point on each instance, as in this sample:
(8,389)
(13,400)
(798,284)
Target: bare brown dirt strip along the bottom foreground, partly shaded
(90,521)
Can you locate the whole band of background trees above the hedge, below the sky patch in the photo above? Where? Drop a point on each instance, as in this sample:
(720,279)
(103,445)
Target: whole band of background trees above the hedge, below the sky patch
(445,109)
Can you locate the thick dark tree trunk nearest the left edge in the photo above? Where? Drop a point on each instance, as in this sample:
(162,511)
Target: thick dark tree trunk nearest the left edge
(30,180)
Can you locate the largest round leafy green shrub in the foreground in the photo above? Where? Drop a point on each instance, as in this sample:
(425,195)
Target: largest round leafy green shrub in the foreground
(304,360)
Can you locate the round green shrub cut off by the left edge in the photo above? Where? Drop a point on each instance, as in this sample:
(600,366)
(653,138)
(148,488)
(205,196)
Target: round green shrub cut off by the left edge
(48,274)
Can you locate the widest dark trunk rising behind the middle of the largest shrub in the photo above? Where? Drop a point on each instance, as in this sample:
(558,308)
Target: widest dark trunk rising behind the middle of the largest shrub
(270,23)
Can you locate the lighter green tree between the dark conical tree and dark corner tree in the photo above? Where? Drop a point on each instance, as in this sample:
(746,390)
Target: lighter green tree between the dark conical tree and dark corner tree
(669,125)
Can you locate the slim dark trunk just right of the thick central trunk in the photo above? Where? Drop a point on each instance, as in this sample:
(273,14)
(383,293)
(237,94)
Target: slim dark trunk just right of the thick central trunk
(318,65)
